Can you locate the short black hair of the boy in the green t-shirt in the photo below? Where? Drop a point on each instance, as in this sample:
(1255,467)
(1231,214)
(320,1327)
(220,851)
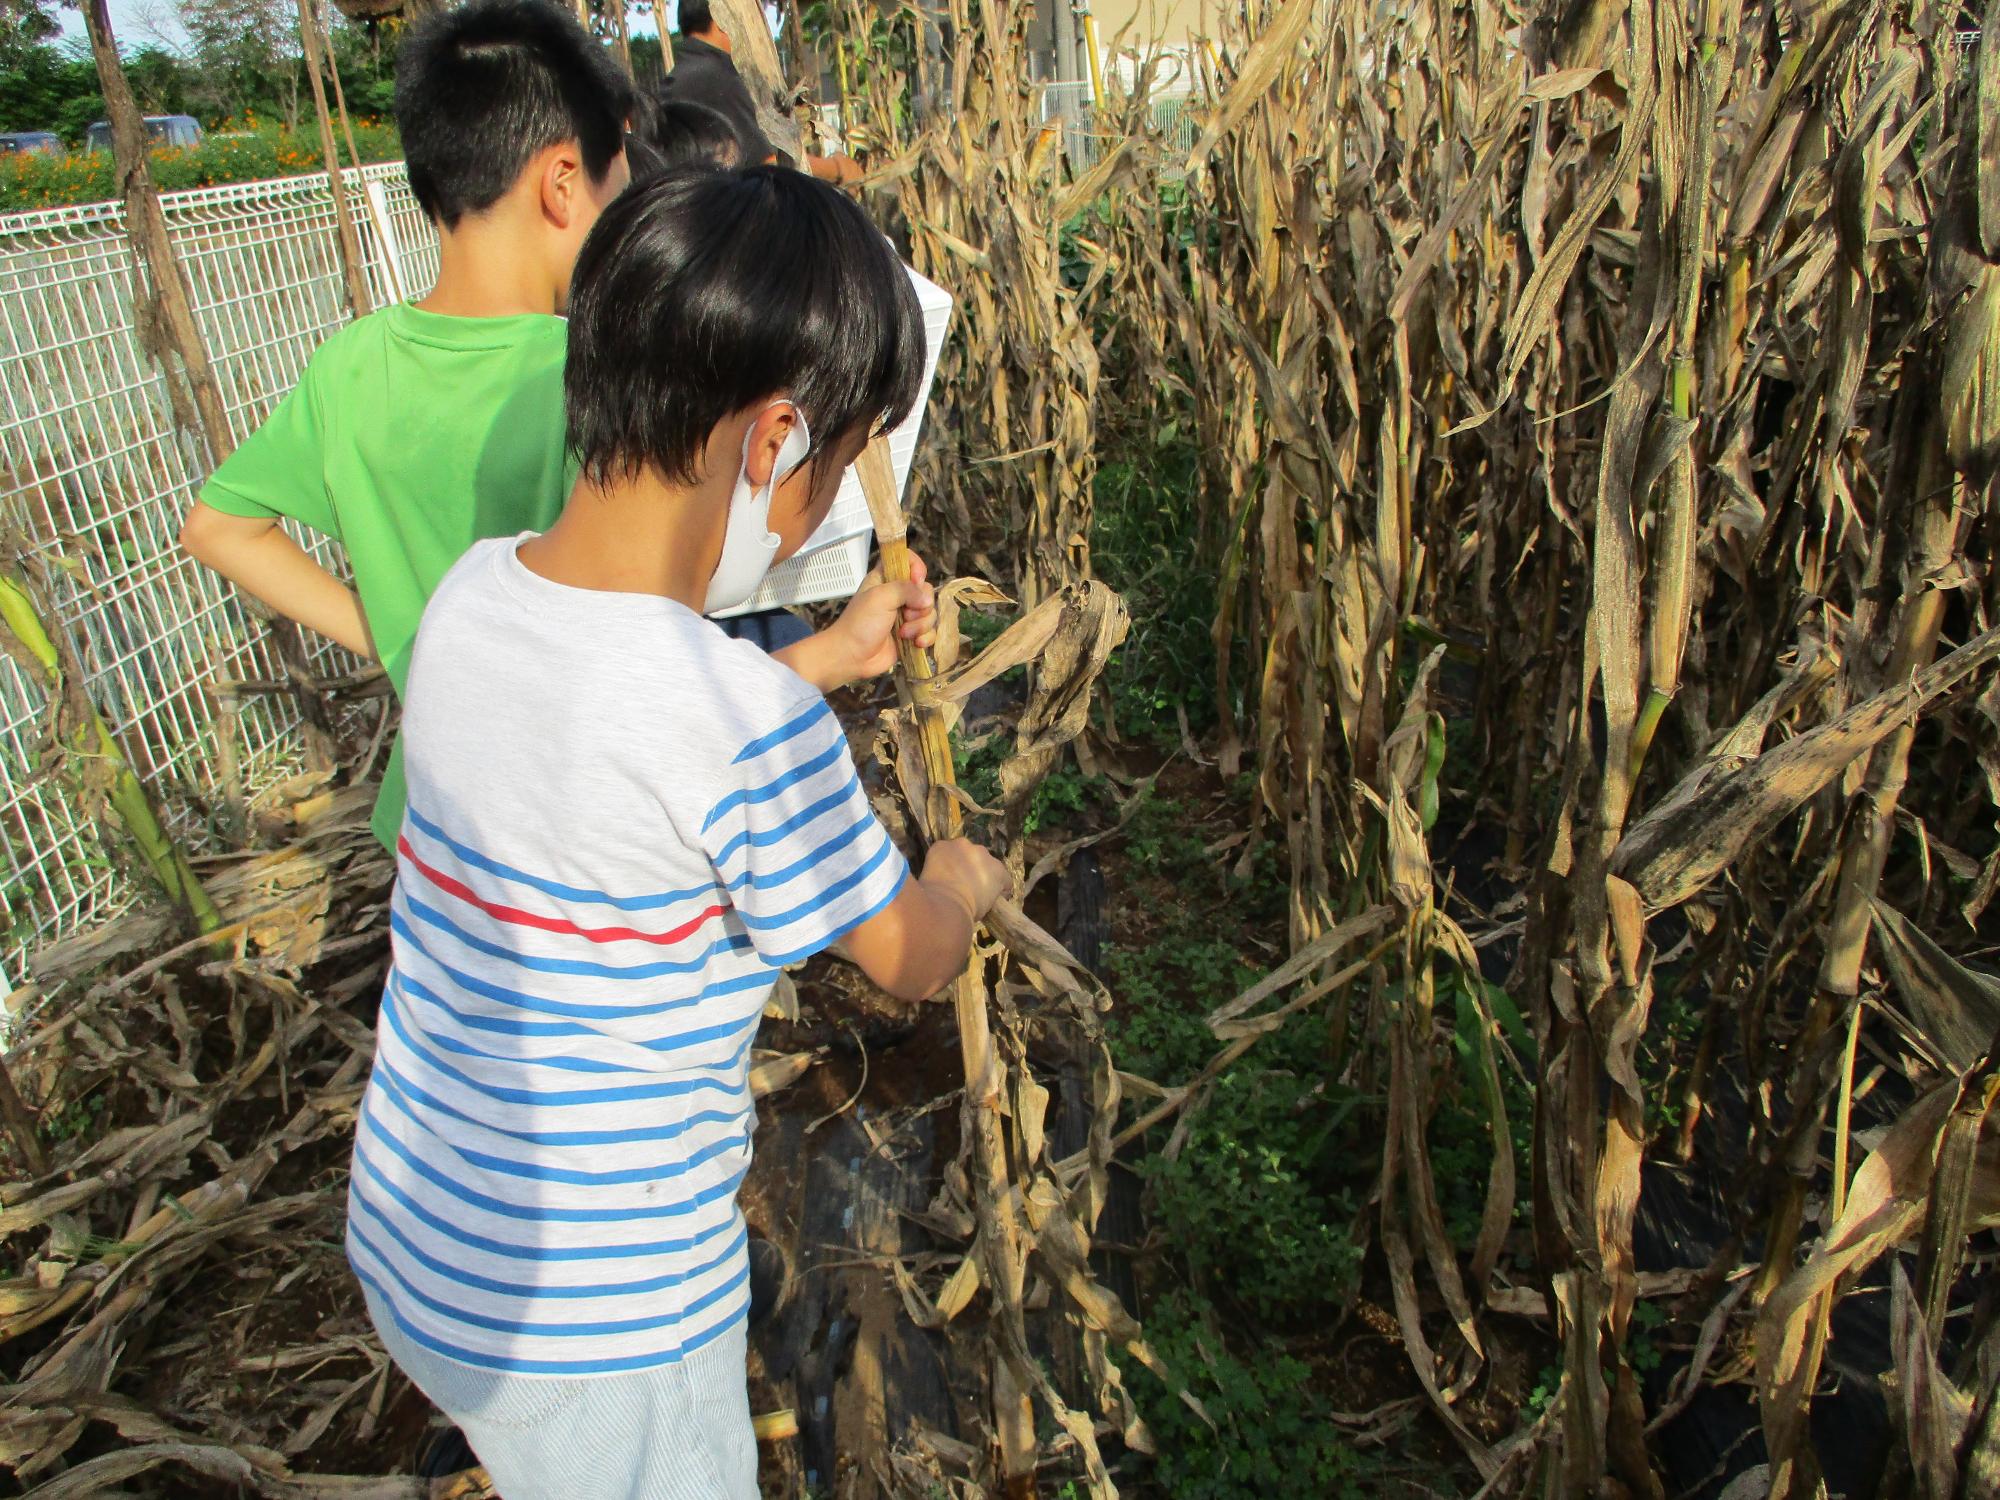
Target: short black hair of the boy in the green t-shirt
(483,89)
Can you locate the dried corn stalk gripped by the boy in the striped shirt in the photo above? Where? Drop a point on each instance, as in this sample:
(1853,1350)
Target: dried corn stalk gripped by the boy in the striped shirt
(1011,1195)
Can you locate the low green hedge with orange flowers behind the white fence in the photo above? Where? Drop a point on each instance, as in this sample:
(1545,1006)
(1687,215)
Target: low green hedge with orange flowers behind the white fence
(249,153)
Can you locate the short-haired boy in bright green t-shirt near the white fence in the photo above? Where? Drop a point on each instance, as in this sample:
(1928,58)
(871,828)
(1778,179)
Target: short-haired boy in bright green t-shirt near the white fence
(429,427)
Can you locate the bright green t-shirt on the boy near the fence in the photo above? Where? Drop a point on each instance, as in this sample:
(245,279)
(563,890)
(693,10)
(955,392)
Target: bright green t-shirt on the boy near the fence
(409,439)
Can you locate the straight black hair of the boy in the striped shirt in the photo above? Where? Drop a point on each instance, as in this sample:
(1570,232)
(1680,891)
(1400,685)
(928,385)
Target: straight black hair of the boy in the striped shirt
(703,293)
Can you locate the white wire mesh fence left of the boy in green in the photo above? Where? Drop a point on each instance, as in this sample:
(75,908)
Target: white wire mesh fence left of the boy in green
(95,477)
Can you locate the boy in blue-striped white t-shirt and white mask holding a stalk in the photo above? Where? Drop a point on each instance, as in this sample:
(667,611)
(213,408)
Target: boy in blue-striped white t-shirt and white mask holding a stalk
(621,827)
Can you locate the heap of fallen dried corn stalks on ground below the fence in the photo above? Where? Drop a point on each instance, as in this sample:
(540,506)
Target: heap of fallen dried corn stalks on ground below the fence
(211,1097)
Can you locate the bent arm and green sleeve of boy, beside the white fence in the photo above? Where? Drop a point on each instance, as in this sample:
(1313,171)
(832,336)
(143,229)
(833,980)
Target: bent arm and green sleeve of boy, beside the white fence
(279,473)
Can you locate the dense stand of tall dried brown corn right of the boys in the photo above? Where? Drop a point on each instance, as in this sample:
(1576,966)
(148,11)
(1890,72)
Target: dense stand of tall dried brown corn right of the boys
(1597,417)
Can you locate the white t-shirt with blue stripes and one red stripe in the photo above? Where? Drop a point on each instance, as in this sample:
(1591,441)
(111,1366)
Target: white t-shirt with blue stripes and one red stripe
(621,827)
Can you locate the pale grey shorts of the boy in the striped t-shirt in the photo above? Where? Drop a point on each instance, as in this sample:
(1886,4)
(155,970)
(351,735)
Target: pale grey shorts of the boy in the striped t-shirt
(673,1433)
